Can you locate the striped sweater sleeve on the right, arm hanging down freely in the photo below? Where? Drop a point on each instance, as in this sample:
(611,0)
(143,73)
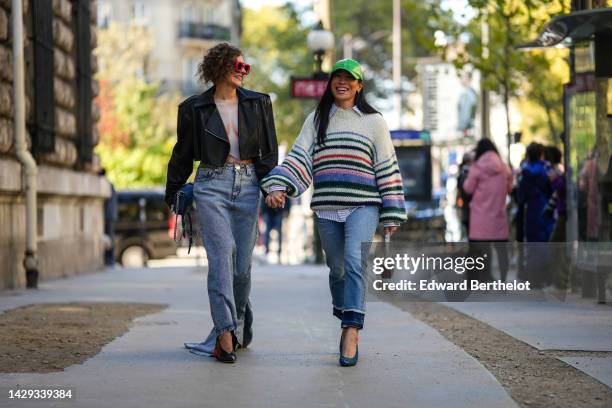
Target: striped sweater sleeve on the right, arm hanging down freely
(388,176)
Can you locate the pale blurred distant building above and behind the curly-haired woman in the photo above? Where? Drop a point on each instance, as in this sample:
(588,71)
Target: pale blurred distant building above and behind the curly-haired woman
(183,30)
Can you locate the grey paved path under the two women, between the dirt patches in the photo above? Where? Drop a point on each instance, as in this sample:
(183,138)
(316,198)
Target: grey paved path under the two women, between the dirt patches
(292,361)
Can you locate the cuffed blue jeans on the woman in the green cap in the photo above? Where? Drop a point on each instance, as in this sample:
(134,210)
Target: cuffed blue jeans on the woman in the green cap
(342,244)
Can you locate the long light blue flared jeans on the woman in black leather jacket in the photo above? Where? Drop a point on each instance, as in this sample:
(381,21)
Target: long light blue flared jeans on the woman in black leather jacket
(227,201)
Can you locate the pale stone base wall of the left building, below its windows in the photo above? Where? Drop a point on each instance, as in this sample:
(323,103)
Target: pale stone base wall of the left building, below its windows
(70,225)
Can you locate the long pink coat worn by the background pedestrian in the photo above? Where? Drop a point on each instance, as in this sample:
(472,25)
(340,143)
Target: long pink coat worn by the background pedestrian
(489,181)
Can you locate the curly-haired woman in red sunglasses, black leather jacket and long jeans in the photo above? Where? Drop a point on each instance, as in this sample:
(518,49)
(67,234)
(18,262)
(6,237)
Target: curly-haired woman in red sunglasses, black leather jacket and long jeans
(230,131)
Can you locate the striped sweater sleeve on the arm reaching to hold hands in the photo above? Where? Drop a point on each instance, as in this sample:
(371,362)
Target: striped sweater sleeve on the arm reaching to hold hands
(295,173)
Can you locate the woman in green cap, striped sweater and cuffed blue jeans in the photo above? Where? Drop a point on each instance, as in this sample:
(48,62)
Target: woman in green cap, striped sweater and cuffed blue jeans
(344,149)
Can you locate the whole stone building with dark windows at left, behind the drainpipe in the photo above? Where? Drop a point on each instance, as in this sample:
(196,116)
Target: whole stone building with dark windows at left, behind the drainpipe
(61,117)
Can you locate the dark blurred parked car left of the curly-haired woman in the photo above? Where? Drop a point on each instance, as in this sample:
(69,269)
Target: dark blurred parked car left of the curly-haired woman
(144,227)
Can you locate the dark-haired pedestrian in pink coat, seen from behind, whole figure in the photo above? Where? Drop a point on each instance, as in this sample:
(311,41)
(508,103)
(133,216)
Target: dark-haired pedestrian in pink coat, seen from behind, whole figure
(489,182)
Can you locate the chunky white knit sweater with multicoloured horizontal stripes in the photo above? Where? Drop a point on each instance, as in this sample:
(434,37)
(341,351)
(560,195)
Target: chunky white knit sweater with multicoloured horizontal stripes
(356,166)
